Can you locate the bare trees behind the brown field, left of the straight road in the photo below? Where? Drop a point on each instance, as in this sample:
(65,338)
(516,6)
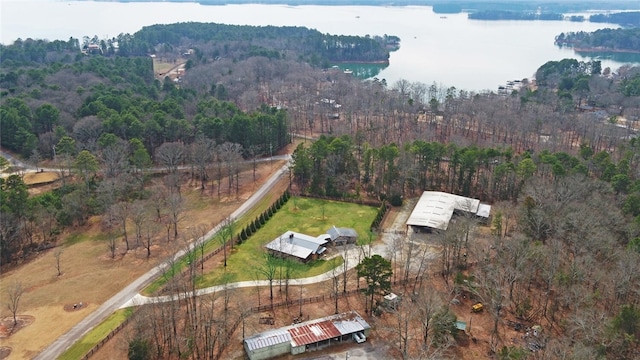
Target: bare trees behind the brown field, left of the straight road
(114,184)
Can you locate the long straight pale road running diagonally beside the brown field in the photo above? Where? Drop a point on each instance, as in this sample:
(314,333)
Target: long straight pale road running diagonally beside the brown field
(123,297)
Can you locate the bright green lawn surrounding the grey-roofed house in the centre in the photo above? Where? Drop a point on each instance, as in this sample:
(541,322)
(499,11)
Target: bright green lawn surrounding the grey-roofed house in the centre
(304,215)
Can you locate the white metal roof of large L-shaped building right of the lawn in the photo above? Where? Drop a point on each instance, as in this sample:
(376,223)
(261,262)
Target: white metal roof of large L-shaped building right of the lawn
(435,209)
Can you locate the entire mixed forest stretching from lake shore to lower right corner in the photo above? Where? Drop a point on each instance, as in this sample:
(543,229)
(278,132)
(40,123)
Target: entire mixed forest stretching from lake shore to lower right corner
(557,155)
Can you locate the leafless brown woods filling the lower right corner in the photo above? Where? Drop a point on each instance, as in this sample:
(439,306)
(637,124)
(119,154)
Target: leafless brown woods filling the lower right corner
(565,269)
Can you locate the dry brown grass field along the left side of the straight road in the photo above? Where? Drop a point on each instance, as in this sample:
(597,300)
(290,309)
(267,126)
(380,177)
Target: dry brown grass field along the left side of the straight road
(90,276)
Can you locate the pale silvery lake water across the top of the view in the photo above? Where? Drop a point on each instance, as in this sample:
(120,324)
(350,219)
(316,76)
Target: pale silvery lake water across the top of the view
(449,50)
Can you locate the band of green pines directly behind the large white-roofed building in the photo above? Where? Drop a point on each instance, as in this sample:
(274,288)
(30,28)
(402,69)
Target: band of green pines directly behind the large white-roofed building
(330,167)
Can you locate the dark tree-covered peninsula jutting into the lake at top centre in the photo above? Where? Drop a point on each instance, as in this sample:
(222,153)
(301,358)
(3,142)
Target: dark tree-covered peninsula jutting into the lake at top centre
(289,41)
